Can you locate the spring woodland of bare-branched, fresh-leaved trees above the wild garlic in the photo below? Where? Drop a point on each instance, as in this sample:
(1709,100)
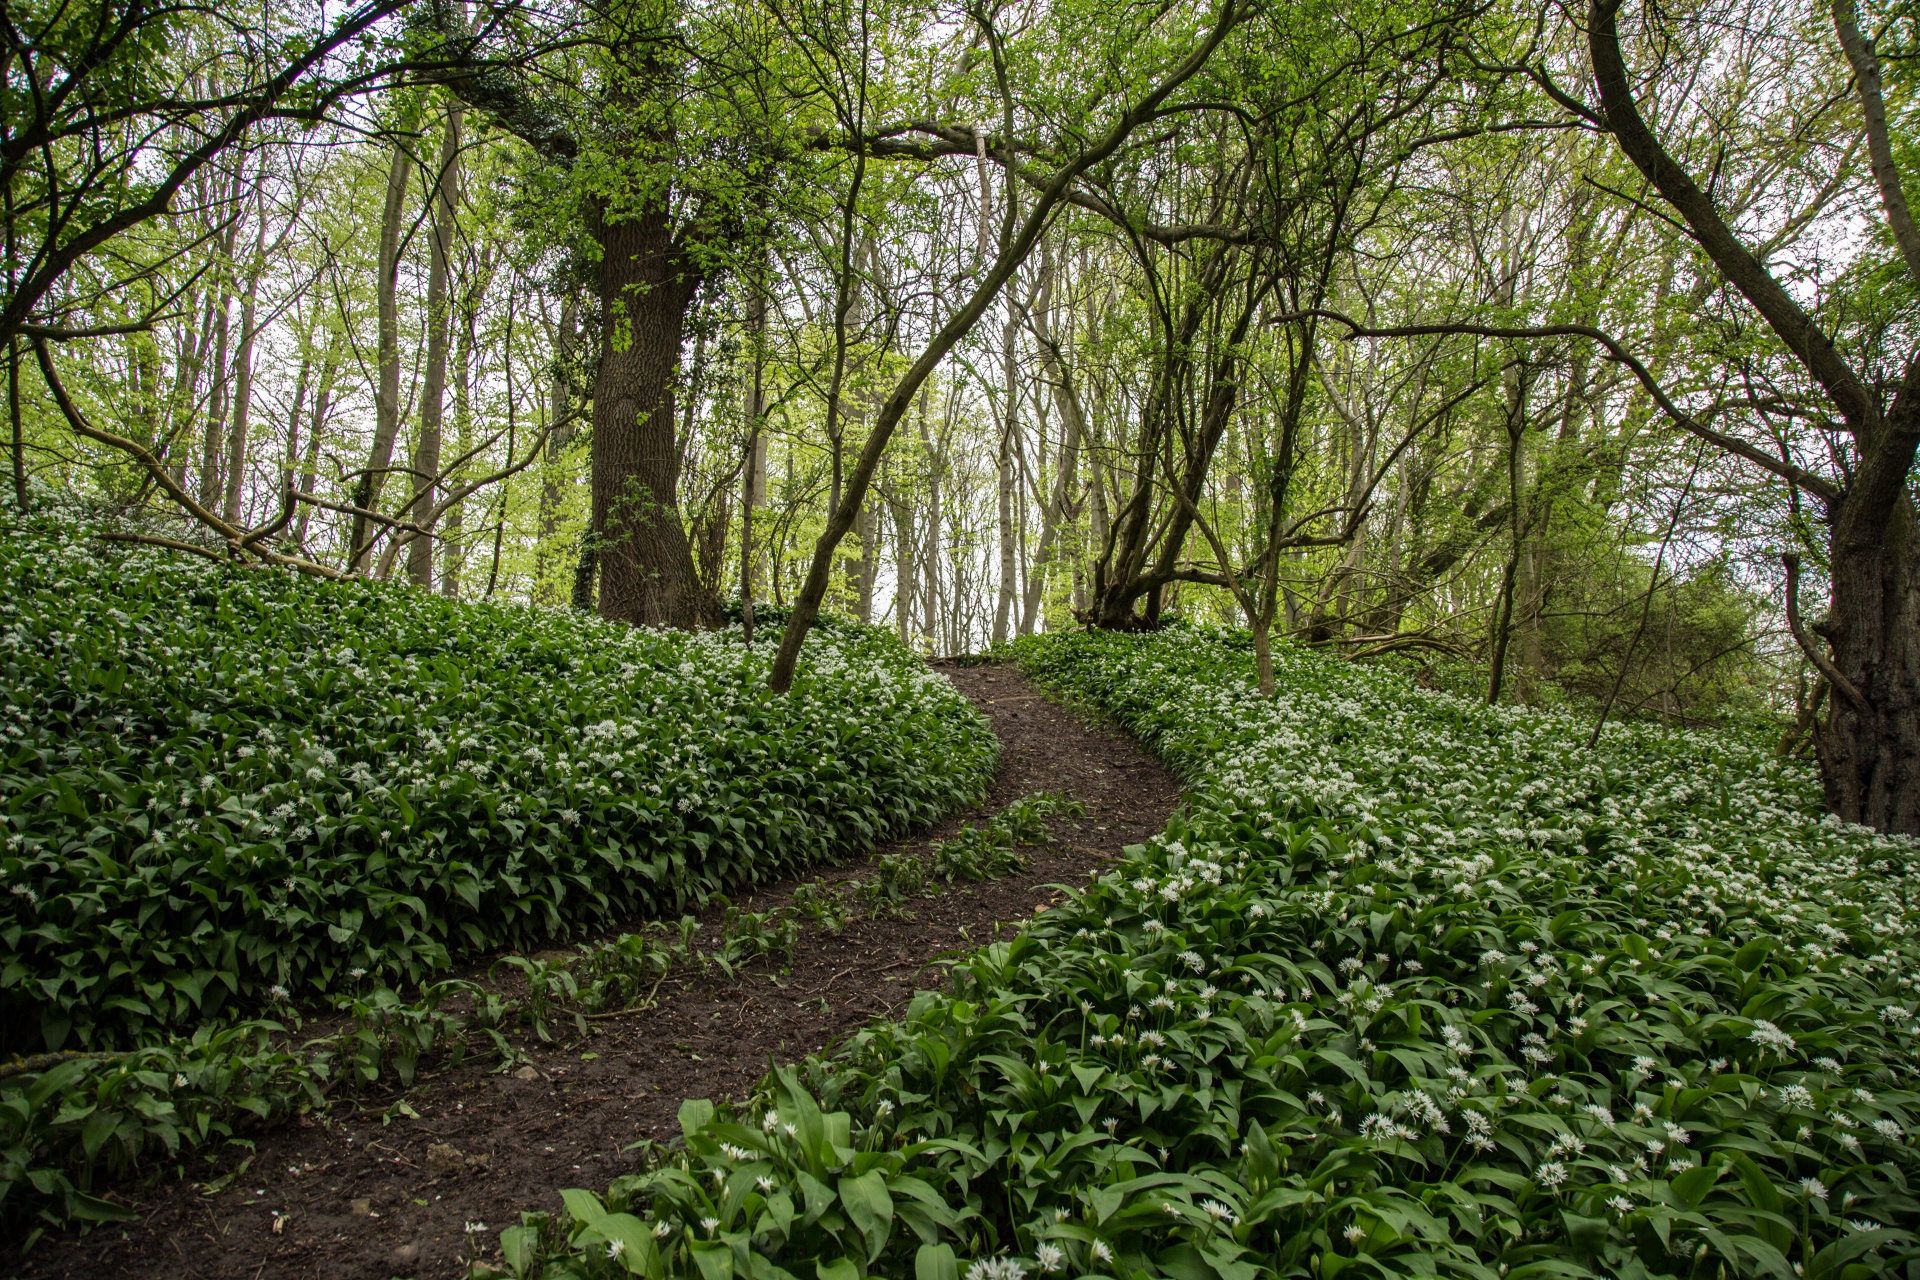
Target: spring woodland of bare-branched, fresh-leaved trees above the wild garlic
(1552,354)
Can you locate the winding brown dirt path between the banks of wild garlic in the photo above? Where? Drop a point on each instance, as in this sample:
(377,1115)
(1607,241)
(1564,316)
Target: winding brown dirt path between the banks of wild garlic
(373,1193)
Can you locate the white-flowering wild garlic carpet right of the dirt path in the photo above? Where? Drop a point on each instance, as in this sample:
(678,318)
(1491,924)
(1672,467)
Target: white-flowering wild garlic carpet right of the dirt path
(1416,987)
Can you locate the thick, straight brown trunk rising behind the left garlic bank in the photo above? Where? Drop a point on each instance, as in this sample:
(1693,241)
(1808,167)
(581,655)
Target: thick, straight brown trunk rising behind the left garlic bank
(646,563)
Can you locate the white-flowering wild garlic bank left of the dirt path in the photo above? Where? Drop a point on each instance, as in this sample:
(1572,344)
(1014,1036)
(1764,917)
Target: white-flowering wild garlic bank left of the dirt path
(235,794)
